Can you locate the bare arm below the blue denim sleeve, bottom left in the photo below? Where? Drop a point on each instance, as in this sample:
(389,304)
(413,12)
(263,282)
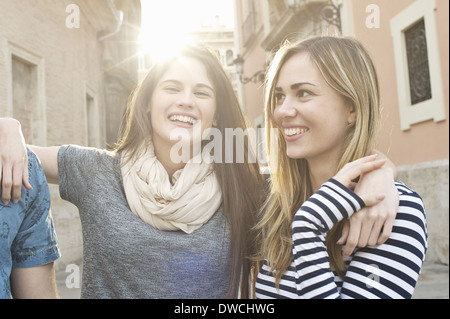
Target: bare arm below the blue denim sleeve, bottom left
(34,283)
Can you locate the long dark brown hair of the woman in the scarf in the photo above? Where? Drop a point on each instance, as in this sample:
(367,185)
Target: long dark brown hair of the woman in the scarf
(241,183)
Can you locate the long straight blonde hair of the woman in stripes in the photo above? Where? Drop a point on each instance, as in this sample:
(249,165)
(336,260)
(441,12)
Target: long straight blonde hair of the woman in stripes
(348,69)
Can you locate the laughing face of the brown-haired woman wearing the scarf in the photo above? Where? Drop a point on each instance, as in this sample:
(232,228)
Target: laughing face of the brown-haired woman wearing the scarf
(183,97)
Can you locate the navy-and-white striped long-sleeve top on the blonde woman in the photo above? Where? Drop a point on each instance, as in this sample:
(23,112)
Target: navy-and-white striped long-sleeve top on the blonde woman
(389,270)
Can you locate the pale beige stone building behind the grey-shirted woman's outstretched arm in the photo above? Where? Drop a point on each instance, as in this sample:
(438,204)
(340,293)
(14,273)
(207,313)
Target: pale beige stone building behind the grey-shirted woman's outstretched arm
(67,68)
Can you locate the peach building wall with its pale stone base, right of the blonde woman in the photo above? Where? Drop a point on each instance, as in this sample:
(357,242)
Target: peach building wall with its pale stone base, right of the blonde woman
(422,151)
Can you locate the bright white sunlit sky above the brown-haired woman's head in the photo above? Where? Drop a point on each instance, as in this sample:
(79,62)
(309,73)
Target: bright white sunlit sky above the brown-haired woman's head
(165,21)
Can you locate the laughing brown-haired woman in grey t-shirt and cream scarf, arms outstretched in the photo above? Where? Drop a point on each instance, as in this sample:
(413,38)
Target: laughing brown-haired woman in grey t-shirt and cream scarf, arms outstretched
(154,226)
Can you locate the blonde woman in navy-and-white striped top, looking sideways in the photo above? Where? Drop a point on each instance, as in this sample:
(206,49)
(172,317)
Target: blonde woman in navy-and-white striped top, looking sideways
(323,96)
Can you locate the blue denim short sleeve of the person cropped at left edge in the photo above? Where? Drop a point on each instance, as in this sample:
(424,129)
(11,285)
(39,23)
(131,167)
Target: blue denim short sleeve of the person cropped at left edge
(35,243)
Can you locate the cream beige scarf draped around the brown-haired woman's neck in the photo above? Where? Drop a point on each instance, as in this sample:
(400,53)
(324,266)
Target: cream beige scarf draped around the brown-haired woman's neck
(185,204)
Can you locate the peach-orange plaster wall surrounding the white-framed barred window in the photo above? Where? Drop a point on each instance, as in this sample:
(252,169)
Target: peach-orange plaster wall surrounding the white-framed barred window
(426,141)
